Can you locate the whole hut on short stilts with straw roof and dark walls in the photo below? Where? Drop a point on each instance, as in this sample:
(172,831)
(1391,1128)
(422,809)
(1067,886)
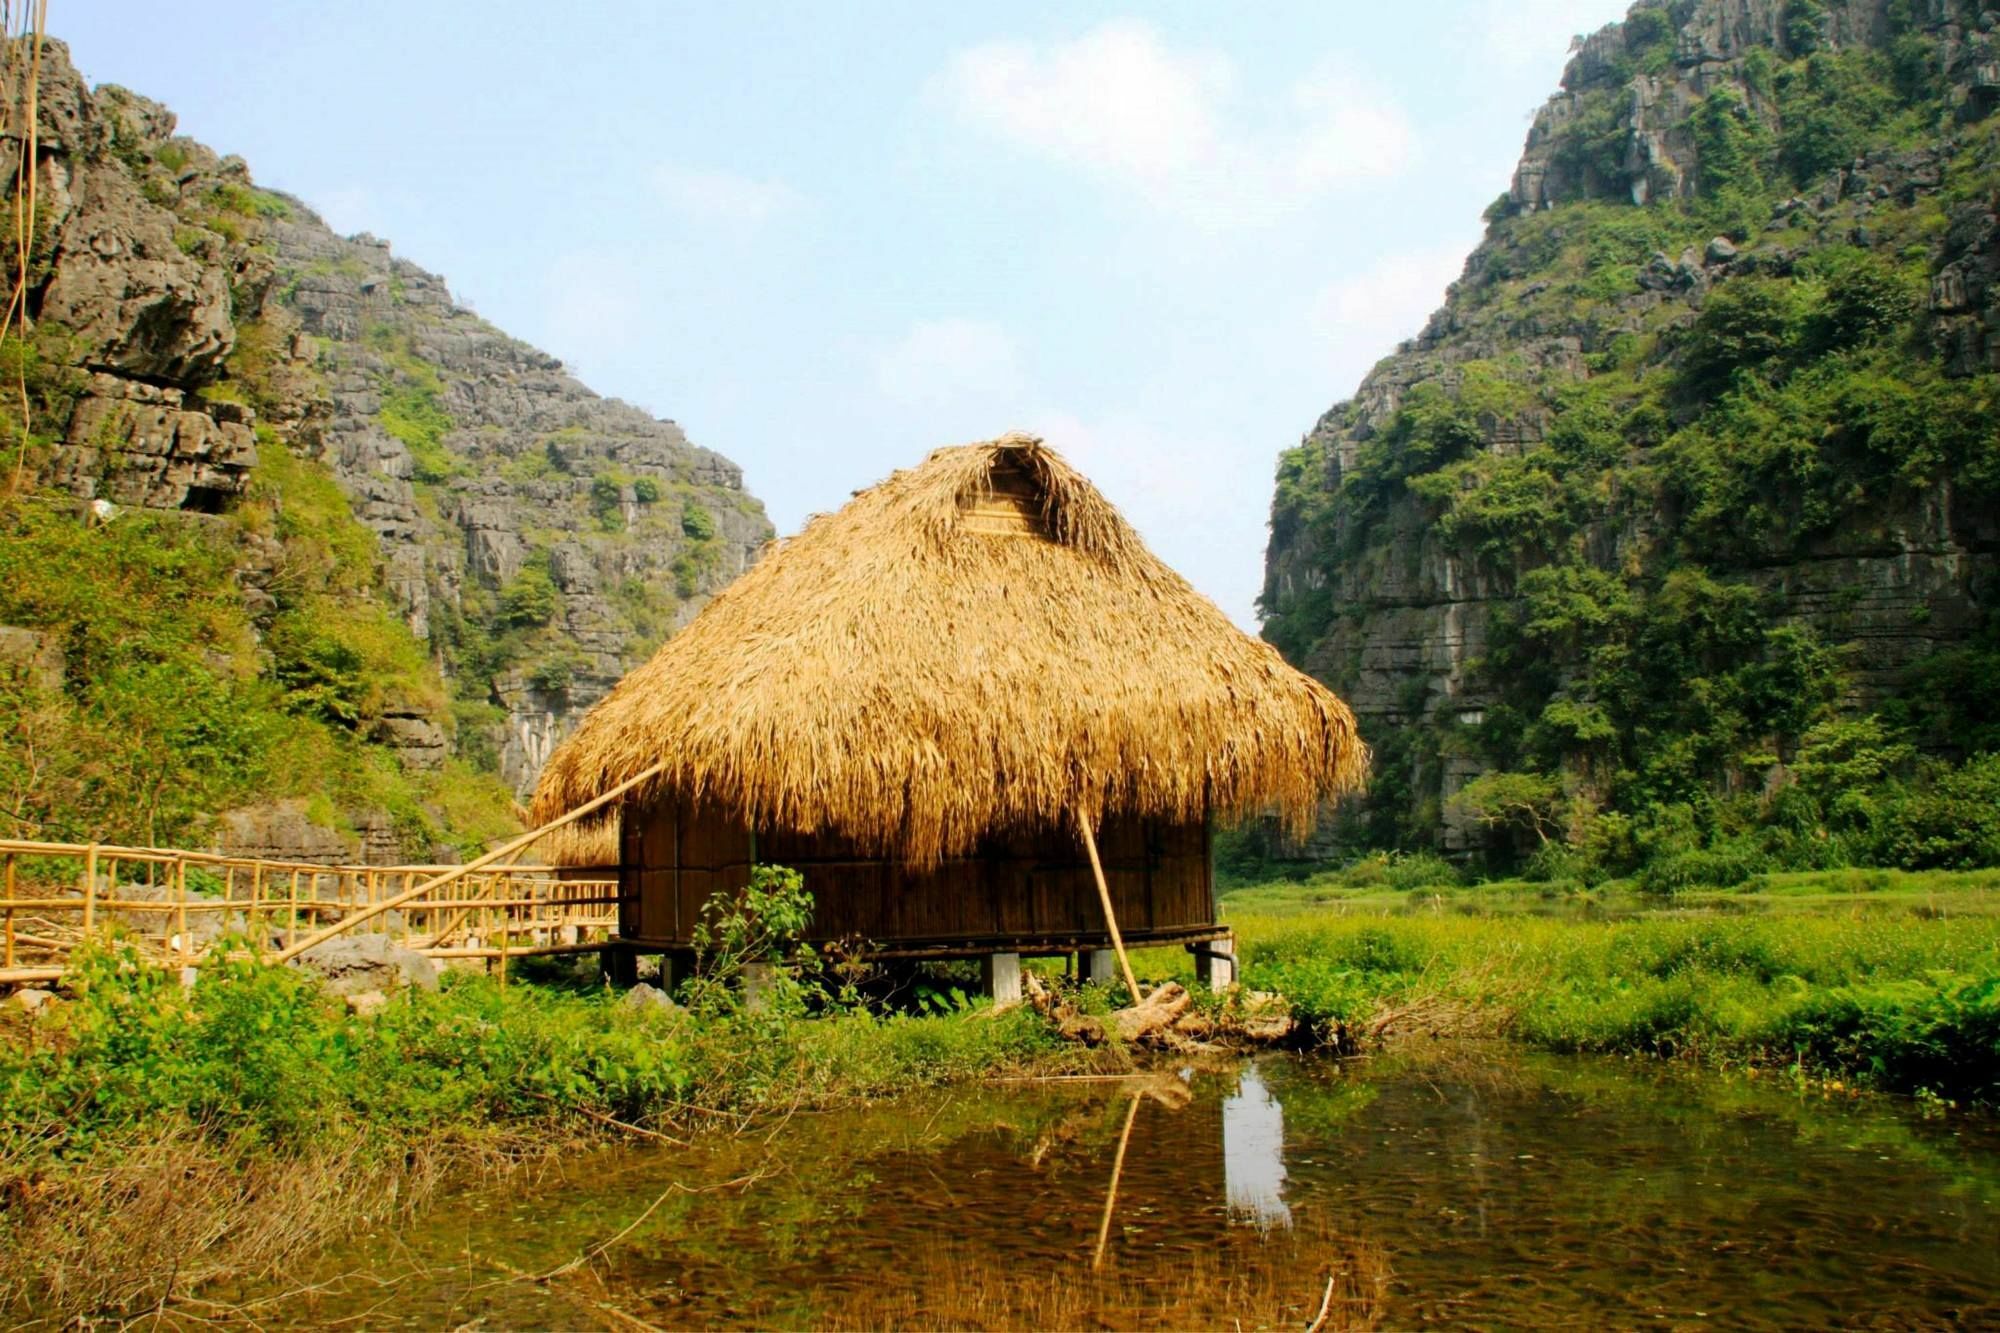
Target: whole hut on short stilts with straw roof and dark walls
(973,712)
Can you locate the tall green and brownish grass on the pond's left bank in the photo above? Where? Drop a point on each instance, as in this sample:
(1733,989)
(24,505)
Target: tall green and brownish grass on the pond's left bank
(153,1136)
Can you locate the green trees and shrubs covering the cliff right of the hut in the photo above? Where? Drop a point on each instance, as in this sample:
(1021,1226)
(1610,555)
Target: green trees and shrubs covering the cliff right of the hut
(1639,463)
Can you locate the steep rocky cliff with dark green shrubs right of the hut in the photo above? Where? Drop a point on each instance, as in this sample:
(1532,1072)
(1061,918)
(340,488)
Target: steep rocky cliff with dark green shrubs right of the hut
(1703,161)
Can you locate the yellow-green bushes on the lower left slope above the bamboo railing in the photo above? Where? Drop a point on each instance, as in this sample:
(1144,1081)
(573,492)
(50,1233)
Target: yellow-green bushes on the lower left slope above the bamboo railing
(161,702)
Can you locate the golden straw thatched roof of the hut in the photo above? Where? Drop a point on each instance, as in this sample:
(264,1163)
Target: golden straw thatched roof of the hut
(979,643)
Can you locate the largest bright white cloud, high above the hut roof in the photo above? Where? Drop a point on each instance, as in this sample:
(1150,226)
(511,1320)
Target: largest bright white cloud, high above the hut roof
(1119,103)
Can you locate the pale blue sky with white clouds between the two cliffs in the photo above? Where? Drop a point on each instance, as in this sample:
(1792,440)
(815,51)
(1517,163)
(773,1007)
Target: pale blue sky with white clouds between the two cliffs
(831,237)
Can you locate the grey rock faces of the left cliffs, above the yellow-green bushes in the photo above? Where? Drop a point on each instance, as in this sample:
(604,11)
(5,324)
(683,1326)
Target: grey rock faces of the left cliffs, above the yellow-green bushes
(201,343)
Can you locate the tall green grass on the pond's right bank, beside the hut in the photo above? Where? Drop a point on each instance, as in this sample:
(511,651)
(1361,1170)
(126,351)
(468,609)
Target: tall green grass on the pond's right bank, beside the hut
(1897,1002)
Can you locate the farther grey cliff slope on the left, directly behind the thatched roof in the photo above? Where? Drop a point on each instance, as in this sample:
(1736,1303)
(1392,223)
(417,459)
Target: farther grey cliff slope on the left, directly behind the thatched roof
(481,465)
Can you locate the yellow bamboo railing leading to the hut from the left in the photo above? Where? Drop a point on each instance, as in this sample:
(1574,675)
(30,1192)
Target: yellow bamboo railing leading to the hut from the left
(181,906)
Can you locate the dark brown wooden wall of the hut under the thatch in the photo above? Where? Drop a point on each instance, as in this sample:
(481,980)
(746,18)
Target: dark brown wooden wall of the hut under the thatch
(1027,890)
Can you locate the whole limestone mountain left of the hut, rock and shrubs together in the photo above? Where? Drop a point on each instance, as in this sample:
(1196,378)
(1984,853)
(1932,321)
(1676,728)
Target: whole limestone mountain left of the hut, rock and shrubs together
(439,545)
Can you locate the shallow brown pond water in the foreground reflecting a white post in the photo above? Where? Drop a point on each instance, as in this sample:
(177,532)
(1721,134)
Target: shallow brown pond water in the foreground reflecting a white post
(1465,1186)
